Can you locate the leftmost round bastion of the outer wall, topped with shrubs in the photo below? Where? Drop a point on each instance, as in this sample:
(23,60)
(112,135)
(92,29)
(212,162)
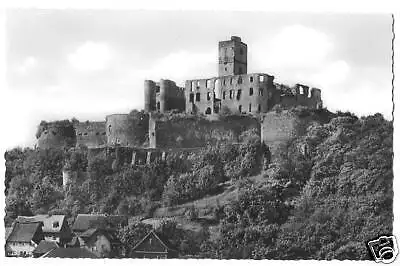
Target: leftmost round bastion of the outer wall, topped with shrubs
(54,135)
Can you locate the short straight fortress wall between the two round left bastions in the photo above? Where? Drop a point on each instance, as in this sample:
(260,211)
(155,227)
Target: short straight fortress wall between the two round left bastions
(91,134)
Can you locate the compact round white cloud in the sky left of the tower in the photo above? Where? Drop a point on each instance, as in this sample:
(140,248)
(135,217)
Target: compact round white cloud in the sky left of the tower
(91,56)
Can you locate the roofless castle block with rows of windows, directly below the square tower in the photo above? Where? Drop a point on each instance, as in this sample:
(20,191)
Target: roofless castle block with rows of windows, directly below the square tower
(251,93)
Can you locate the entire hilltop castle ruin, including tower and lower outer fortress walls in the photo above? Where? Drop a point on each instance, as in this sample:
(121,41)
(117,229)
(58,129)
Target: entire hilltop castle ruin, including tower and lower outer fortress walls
(233,91)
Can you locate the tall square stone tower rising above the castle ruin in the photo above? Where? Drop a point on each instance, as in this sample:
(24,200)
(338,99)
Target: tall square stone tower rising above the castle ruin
(232,57)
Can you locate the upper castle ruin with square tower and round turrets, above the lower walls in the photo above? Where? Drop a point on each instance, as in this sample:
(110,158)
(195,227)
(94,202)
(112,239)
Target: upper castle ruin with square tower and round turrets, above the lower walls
(233,89)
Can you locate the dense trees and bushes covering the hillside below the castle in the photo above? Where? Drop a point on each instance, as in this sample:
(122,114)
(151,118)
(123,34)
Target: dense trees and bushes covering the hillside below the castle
(321,204)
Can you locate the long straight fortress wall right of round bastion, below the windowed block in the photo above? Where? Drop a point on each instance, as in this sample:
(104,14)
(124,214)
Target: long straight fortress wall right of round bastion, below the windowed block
(189,132)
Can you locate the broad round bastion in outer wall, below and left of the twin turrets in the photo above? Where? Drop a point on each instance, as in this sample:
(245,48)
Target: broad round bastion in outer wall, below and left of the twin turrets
(127,129)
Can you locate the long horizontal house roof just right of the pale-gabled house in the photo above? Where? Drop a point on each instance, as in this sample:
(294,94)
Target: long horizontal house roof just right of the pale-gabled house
(84,222)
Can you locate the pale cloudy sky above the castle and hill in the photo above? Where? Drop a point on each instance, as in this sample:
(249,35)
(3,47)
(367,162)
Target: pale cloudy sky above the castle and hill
(89,63)
